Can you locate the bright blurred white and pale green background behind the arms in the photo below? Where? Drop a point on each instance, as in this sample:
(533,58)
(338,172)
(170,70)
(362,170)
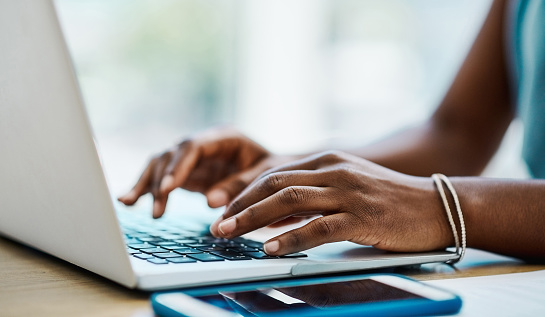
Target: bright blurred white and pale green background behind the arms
(293,75)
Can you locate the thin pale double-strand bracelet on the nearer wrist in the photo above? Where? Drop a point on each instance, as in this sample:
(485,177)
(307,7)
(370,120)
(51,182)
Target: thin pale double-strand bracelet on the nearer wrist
(439,179)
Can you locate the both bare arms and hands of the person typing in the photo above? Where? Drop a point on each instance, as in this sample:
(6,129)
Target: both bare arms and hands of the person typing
(379,195)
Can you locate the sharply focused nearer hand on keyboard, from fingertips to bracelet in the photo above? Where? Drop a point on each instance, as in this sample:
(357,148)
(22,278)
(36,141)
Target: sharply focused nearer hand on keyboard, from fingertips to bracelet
(359,201)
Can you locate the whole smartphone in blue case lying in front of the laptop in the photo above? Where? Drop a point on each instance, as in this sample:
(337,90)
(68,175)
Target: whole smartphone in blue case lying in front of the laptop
(355,295)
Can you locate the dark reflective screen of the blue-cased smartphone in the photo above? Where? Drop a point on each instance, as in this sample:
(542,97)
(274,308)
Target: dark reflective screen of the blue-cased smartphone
(315,296)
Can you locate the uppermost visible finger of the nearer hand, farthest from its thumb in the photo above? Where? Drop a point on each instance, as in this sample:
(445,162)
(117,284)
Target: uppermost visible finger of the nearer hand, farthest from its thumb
(273,183)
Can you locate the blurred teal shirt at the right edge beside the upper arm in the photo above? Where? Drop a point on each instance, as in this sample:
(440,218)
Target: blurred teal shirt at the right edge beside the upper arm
(528,51)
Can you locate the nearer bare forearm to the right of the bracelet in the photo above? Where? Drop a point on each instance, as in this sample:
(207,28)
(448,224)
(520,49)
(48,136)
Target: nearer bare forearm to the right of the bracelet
(504,216)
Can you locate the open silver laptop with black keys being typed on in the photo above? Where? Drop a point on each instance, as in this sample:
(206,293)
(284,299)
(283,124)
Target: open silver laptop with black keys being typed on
(54,195)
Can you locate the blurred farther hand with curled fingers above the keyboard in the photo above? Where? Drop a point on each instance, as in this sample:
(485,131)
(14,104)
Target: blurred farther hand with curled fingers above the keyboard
(219,163)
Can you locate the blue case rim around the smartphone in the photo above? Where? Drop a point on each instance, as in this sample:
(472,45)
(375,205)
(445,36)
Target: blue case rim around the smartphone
(406,307)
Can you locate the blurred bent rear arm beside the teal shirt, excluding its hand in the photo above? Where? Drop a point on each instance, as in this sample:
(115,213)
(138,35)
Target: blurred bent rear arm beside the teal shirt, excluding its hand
(467,128)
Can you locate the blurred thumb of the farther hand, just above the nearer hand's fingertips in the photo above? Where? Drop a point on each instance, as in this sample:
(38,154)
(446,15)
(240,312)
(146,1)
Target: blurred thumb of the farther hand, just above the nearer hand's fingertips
(224,191)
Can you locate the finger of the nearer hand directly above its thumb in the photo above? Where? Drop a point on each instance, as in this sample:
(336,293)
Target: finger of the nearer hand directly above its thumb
(290,201)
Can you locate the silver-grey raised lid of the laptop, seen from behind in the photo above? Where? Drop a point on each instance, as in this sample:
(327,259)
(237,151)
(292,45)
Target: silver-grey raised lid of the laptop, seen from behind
(53,192)
